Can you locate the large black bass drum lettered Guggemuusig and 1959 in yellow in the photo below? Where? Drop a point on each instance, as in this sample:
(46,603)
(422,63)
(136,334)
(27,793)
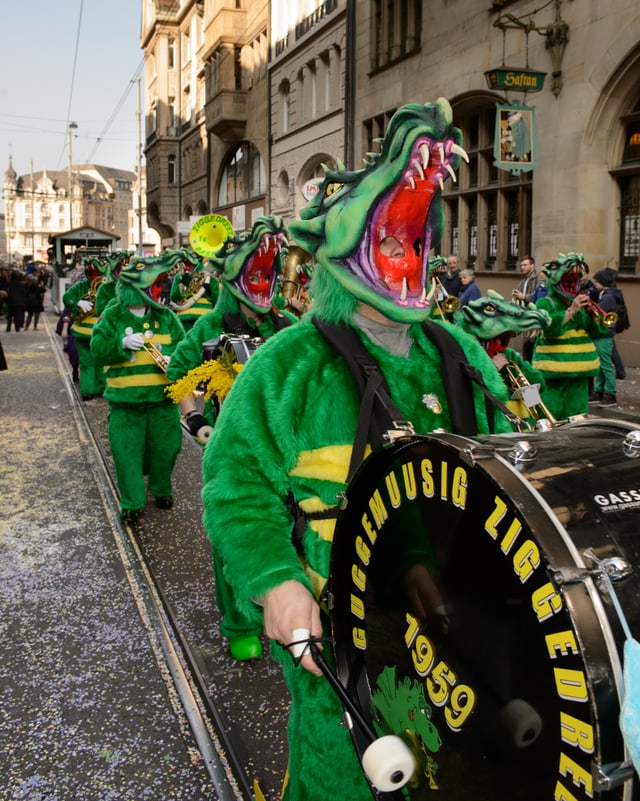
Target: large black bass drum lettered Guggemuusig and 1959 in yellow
(471,615)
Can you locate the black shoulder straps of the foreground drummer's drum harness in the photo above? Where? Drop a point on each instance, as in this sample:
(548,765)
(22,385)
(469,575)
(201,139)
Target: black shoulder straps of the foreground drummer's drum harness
(380,420)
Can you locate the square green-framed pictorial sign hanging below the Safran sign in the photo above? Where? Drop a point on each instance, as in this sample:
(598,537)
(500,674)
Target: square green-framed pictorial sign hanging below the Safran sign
(515,146)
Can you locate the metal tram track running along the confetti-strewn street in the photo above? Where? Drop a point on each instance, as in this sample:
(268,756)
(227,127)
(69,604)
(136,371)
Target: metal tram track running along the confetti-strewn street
(219,745)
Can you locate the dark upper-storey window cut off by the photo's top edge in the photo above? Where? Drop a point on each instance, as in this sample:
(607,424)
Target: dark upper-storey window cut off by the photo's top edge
(397,30)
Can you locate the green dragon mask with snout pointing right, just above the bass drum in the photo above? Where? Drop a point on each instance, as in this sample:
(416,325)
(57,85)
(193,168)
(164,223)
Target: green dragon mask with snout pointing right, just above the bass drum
(494,320)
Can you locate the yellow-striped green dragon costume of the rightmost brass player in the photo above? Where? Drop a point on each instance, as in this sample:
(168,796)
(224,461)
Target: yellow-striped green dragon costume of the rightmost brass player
(565,352)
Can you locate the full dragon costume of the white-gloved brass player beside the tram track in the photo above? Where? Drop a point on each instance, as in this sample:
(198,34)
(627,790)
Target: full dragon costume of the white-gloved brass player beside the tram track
(145,435)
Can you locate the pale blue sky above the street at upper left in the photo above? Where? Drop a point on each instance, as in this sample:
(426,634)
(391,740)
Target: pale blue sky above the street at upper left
(71,61)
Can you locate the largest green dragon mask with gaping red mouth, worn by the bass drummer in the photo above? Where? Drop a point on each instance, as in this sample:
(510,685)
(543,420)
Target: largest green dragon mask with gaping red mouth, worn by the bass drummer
(372,229)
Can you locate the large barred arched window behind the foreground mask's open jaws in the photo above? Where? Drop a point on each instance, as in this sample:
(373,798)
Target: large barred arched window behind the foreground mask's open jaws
(488,211)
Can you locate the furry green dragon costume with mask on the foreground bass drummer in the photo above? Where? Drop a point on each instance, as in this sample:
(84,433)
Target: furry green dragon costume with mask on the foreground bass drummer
(288,425)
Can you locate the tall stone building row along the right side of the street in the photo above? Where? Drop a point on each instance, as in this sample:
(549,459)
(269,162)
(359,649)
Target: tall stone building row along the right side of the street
(286,87)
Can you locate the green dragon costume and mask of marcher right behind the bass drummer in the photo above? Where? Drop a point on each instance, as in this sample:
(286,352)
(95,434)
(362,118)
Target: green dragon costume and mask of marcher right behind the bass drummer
(249,268)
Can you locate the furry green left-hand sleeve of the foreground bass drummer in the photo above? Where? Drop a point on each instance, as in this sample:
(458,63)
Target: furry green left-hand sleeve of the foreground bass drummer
(246,466)
